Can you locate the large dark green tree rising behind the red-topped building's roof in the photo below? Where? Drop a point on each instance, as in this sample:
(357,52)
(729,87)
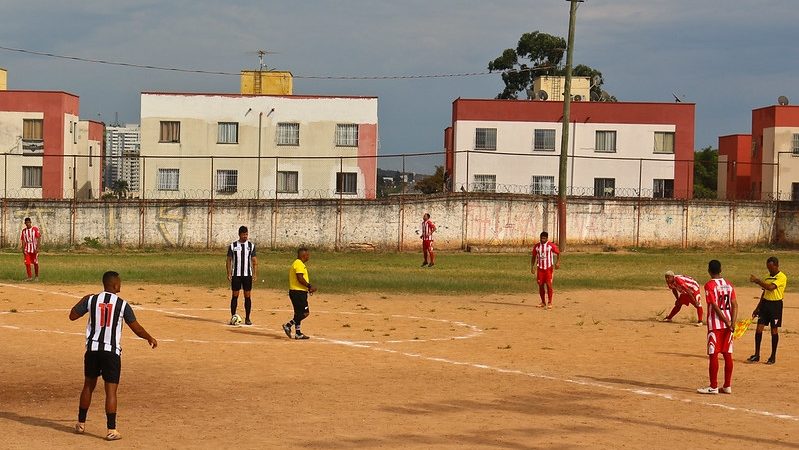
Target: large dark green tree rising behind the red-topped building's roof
(535,55)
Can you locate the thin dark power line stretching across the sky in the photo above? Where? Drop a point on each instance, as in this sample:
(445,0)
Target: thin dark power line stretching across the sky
(310,77)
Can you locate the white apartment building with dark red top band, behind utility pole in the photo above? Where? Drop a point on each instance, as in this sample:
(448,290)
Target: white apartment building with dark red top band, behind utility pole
(615,149)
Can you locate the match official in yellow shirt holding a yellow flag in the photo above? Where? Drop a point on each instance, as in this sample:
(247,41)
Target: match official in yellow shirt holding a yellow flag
(769,309)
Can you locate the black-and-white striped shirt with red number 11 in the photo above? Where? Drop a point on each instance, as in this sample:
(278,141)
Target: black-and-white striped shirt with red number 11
(106,314)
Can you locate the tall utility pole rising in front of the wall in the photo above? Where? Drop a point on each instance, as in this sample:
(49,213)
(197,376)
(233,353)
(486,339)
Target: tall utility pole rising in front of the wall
(564,140)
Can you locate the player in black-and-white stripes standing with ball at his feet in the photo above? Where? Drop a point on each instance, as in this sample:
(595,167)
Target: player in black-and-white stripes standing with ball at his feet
(242,268)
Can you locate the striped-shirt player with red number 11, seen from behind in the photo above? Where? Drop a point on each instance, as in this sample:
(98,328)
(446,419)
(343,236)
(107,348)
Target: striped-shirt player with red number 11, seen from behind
(103,347)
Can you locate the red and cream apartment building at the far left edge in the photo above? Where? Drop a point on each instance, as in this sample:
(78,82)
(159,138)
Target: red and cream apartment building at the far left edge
(47,151)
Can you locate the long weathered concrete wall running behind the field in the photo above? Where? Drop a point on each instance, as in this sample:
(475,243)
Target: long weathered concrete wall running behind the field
(394,224)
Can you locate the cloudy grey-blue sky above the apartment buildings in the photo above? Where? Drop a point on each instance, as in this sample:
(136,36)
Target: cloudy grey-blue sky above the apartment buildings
(728,57)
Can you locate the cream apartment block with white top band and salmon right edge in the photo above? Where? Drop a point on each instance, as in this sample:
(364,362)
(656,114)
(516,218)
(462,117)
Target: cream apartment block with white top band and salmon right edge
(258,146)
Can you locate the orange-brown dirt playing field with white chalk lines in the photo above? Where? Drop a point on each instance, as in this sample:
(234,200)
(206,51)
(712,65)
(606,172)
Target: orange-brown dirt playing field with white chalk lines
(392,371)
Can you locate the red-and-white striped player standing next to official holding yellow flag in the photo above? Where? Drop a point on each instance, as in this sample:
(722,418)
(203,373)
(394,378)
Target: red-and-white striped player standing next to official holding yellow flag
(722,311)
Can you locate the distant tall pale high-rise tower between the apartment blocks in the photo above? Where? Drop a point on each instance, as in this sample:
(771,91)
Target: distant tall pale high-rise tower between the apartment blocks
(122,146)
